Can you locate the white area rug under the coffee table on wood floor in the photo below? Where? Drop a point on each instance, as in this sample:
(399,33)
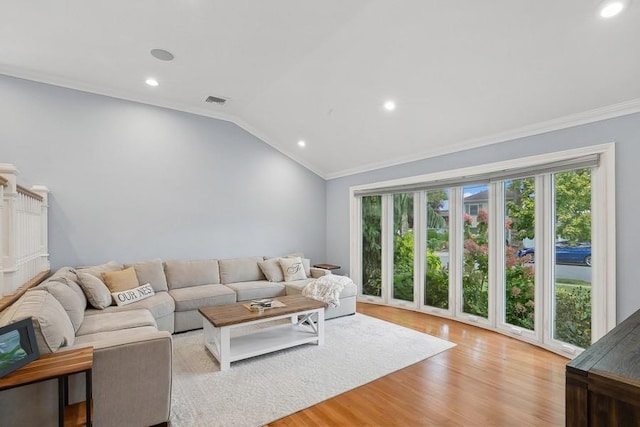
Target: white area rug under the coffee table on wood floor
(358,349)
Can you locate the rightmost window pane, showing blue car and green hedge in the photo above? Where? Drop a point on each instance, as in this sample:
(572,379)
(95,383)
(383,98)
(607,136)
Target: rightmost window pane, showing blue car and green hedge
(573,257)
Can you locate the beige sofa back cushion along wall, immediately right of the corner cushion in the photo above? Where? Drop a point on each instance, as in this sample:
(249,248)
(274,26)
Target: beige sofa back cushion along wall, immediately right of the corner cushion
(181,274)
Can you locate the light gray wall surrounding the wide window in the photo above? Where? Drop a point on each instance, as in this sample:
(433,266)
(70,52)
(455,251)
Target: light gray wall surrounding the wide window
(625,131)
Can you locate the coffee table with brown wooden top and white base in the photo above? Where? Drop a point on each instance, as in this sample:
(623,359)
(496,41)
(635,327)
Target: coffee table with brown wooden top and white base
(306,326)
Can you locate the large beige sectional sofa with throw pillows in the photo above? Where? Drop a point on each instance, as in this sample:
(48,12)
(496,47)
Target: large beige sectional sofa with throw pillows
(77,307)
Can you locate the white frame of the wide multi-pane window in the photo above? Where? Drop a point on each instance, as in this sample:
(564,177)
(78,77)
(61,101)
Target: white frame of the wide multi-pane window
(603,291)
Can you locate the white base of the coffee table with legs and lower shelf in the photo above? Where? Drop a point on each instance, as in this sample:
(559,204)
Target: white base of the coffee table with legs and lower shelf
(305,327)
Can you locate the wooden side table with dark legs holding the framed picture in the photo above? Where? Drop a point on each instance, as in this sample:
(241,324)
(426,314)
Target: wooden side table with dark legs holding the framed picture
(56,365)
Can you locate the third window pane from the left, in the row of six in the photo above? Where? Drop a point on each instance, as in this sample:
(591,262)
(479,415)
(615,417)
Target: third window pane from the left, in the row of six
(437,275)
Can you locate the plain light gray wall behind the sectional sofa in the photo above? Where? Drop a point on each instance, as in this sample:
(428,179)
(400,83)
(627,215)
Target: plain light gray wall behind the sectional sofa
(130,181)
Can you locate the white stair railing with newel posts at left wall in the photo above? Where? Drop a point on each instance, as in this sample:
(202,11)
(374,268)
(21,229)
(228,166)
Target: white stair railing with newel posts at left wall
(24,252)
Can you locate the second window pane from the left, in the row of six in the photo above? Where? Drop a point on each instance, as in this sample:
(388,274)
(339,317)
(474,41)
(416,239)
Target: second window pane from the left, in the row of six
(403,239)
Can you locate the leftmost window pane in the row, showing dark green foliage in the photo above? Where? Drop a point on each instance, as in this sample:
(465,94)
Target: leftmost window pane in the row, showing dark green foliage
(372,245)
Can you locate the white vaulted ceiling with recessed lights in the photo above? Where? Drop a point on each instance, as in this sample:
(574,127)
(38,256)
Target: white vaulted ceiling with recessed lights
(463,73)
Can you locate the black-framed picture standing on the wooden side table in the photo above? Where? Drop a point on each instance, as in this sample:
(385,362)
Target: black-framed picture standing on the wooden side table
(17,346)
